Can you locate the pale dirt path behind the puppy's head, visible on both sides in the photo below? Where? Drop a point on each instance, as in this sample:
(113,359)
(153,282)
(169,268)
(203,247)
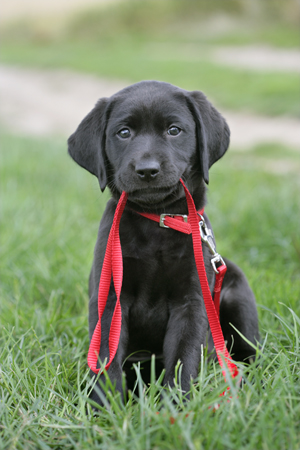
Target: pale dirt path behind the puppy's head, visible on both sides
(41,102)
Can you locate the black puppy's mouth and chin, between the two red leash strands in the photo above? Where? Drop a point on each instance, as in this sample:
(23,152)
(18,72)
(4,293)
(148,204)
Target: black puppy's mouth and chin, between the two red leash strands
(155,196)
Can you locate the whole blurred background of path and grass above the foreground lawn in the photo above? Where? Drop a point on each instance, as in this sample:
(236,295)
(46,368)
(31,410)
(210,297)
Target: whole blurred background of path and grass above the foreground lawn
(243,54)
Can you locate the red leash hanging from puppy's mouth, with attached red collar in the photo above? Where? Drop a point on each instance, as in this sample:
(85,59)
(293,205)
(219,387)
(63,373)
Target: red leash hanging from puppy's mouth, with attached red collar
(113,267)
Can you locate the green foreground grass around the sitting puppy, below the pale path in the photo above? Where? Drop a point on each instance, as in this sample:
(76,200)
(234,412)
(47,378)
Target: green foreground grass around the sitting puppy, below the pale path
(50,210)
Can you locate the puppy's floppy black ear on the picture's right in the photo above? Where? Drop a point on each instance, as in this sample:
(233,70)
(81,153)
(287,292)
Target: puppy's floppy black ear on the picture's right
(213,133)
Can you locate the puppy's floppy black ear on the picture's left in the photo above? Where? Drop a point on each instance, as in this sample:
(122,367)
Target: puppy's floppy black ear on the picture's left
(87,145)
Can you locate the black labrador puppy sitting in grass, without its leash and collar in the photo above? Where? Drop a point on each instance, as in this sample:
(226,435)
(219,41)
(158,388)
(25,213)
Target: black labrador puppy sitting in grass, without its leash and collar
(142,140)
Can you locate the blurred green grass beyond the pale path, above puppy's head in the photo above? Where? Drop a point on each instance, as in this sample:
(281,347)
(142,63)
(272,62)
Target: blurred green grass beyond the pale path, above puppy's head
(168,41)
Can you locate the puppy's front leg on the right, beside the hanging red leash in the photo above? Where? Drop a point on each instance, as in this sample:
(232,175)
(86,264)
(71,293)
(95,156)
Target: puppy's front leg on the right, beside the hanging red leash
(186,332)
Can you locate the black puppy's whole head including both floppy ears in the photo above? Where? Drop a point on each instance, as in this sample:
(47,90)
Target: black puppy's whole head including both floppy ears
(146,137)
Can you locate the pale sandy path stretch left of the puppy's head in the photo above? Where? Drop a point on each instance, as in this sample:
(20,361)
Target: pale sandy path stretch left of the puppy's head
(48,102)
